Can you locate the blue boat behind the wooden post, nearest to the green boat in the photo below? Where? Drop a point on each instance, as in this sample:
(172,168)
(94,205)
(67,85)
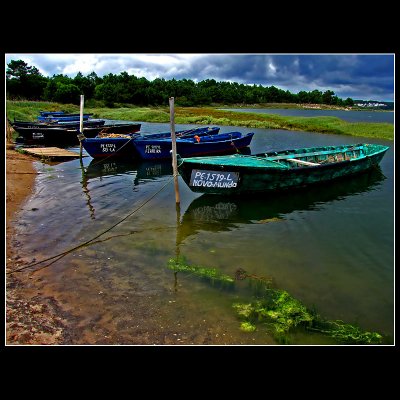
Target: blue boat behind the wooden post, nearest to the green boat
(223,143)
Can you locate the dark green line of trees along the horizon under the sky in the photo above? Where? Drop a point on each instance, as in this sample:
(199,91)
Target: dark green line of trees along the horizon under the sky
(26,82)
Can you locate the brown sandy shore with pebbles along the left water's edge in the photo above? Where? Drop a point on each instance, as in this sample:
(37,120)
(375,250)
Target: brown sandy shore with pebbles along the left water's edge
(31,318)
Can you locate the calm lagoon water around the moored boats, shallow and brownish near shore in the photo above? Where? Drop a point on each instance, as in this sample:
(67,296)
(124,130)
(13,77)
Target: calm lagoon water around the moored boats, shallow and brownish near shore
(331,247)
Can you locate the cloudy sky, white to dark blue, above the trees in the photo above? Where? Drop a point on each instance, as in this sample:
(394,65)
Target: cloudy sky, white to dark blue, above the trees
(359,76)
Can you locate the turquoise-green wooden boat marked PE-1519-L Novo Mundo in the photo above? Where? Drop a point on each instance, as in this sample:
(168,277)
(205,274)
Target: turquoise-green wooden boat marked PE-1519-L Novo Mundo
(240,174)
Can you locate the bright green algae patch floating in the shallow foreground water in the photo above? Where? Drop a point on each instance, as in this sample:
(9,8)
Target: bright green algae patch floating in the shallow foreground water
(276,309)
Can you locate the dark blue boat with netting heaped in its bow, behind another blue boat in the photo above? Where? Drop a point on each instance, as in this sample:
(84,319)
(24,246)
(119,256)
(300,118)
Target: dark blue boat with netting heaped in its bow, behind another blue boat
(121,145)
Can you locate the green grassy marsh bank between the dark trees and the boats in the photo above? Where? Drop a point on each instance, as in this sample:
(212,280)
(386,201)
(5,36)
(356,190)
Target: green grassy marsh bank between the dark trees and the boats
(28,110)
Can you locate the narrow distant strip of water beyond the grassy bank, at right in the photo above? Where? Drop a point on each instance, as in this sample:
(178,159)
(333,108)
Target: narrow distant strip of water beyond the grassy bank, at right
(350,116)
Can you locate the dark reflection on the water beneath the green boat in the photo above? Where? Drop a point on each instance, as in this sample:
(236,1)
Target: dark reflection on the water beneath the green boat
(220,213)
